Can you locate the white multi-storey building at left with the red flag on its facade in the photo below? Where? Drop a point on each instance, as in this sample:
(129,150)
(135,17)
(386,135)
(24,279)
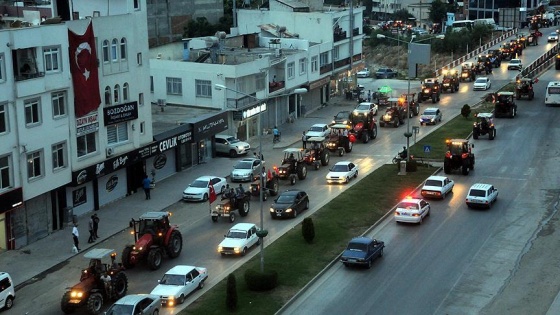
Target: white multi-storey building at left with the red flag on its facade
(50,160)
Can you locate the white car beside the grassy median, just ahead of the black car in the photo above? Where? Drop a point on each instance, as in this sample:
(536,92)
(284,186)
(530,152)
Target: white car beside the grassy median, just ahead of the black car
(239,239)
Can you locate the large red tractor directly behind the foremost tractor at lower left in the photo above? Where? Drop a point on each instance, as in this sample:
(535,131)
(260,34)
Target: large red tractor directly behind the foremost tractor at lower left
(154,237)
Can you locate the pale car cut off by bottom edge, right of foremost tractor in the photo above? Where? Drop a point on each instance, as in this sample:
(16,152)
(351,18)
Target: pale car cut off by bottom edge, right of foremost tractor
(134,304)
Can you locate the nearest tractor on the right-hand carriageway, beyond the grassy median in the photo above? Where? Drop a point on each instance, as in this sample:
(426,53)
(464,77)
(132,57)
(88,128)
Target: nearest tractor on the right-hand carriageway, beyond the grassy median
(458,156)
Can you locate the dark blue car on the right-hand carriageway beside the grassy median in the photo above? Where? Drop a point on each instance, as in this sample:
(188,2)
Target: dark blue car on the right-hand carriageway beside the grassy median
(362,251)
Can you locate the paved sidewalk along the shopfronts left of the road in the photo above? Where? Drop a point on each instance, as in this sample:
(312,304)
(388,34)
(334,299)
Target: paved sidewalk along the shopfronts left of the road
(25,265)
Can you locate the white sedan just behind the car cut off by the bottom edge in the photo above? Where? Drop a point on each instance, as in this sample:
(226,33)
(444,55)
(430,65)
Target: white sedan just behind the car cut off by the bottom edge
(178,283)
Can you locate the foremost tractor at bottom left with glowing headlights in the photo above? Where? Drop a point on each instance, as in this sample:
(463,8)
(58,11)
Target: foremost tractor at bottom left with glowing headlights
(92,291)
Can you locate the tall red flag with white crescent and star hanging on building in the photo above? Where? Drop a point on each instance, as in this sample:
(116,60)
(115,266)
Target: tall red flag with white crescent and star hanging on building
(83,67)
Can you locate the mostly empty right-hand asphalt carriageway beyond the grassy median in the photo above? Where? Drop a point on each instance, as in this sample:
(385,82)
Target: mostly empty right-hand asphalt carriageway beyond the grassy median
(462,261)
